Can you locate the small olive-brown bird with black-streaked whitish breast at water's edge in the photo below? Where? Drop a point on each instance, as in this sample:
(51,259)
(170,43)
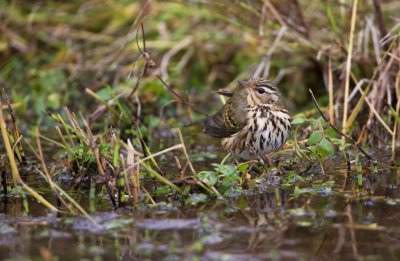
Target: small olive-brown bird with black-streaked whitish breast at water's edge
(253,122)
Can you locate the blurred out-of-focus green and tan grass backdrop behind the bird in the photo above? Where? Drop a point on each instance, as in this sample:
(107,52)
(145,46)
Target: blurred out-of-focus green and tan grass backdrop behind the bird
(53,52)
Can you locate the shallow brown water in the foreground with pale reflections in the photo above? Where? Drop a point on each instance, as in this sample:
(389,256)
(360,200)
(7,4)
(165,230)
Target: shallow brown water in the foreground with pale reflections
(339,221)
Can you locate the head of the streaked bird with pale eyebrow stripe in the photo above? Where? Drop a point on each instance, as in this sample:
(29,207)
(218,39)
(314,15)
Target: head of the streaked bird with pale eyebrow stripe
(261,92)
